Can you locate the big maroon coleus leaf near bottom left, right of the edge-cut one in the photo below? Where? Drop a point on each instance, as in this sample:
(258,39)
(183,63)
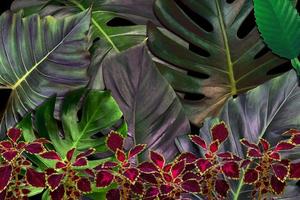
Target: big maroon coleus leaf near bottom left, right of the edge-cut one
(34,178)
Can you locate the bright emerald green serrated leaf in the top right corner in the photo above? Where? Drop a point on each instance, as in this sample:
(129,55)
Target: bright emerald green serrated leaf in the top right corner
(279,25)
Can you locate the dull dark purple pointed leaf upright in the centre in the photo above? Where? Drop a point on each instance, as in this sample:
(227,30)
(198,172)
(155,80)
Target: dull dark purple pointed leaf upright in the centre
(151,109)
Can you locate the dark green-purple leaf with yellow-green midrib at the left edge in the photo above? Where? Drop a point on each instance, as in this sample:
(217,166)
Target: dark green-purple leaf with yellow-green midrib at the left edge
(40,57)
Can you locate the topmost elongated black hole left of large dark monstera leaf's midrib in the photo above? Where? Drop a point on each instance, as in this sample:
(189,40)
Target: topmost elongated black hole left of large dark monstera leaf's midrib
(198,19)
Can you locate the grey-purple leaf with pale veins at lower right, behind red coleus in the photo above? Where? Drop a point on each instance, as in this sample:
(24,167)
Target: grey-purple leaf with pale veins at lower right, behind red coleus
(264,112)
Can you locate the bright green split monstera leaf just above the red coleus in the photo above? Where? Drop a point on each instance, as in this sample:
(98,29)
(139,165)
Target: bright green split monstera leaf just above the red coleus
(98,111)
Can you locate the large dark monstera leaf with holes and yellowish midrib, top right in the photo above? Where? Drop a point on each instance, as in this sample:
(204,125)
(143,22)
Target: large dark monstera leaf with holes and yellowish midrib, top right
(223,60)
